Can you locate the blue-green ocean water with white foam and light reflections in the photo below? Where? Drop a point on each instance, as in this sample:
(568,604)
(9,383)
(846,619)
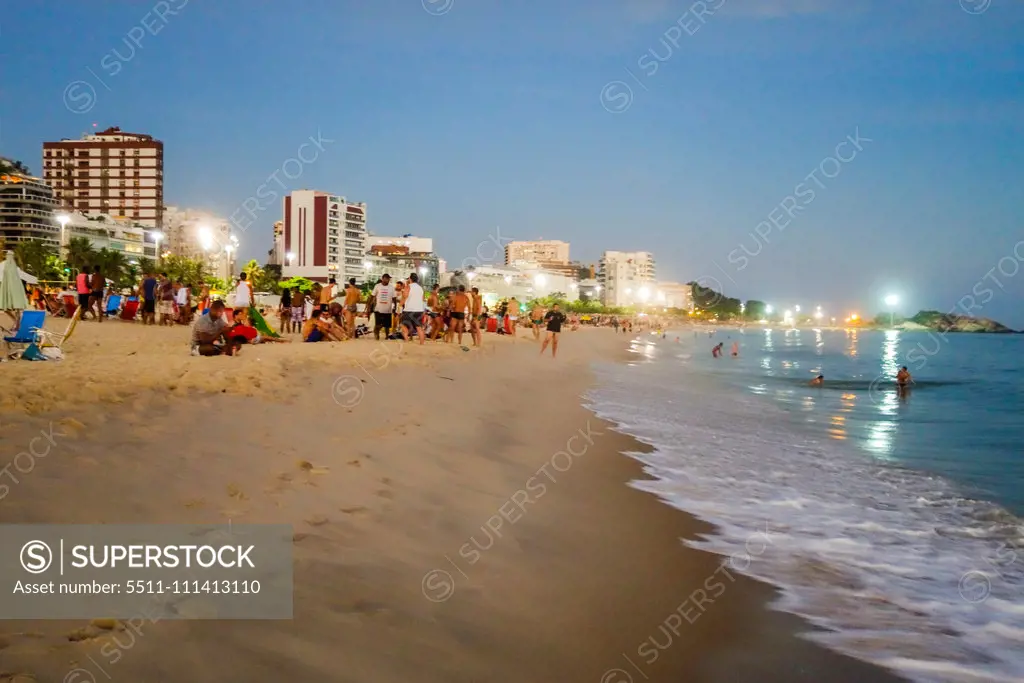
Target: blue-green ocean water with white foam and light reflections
(894,523)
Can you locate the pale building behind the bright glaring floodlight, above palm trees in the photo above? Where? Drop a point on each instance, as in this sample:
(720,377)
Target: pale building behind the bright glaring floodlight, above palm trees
(201,235)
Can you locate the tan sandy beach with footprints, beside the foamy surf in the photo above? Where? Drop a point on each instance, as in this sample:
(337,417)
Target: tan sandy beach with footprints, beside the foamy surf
(458,517)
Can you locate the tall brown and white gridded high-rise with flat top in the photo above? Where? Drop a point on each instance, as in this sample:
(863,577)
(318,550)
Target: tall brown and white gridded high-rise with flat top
(111,173)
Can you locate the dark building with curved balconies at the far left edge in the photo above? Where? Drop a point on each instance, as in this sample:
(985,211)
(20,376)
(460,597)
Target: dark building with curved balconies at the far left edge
(27,211)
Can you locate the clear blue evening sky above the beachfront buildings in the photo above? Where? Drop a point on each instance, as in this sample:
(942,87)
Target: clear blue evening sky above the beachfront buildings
(797,152)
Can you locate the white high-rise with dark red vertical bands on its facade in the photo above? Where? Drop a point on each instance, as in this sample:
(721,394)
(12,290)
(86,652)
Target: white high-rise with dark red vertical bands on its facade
(325,237)
